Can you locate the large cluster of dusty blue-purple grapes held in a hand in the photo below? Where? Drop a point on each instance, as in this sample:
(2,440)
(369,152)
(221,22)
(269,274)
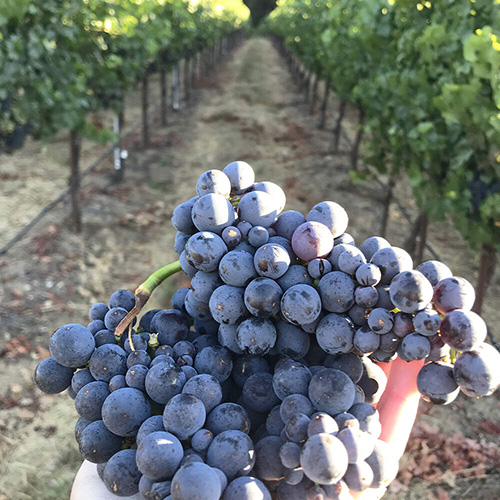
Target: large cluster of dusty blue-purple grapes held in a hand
(260,382)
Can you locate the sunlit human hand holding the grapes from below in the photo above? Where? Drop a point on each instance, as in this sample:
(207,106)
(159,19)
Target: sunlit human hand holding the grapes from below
(397,407)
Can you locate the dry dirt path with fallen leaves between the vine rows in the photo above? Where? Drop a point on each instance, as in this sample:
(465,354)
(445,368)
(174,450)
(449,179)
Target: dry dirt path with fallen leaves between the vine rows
(251,111)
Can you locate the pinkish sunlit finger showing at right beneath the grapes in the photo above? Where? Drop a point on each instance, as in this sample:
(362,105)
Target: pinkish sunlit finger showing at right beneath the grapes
(399,403)
